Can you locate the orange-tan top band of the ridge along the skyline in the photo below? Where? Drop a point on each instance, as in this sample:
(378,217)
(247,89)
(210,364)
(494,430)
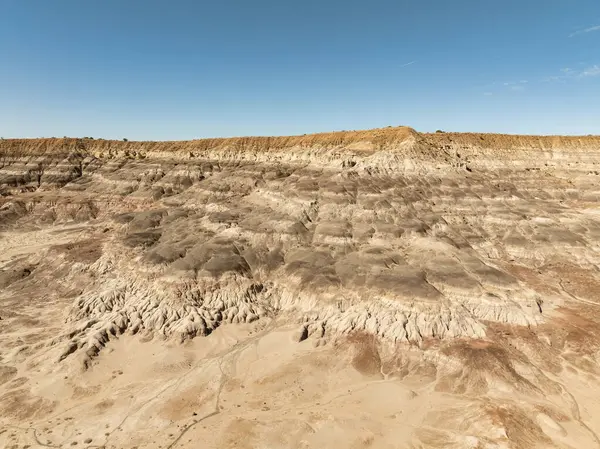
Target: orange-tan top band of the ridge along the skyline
(367,140)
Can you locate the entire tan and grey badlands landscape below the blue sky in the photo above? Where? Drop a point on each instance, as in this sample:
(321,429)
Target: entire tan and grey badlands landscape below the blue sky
(373,289)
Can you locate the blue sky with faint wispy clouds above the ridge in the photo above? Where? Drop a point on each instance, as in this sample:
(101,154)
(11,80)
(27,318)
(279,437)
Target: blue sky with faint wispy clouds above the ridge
(181,69)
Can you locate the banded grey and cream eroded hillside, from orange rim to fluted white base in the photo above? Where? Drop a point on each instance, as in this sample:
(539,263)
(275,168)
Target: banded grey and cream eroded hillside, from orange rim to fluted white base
(400,234)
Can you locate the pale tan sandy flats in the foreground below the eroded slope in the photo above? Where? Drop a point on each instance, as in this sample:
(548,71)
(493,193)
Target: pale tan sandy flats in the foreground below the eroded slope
(255,385)
